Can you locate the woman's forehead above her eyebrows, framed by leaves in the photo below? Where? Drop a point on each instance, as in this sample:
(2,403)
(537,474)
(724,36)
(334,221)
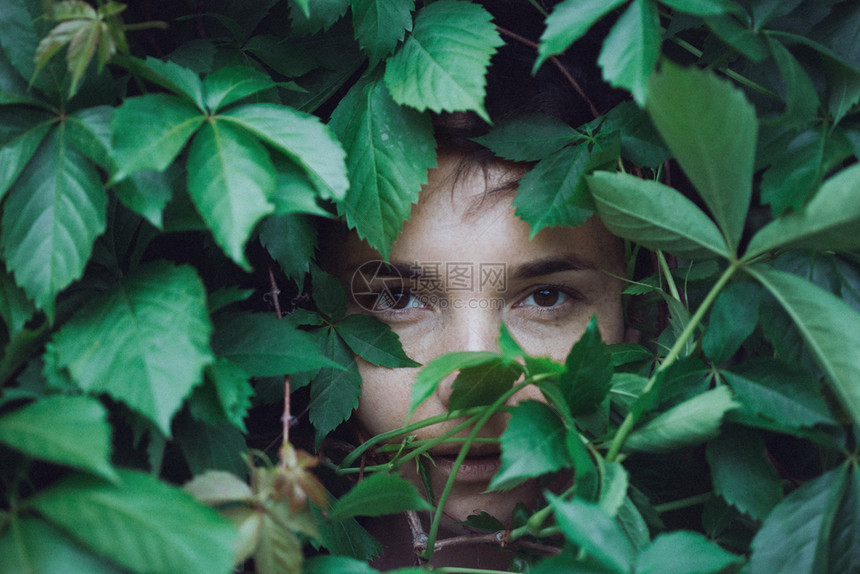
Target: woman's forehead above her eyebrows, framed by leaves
(459,219)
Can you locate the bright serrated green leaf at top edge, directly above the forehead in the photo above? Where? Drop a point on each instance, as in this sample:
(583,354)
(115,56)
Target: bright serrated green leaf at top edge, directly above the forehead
(442,64)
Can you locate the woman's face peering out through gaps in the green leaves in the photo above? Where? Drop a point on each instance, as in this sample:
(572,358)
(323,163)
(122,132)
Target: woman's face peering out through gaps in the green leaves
(460,270)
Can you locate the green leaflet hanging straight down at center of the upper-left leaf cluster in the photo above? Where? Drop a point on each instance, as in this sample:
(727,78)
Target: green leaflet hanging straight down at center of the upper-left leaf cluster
(230,179)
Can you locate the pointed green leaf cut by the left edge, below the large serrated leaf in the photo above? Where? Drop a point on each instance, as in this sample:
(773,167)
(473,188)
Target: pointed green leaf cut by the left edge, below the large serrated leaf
(72,431)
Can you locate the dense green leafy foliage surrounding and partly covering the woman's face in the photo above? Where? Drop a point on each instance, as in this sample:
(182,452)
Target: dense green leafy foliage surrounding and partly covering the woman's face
(158,162)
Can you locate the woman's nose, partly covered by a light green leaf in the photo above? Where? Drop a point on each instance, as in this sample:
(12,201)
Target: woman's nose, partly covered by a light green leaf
(468,330)
